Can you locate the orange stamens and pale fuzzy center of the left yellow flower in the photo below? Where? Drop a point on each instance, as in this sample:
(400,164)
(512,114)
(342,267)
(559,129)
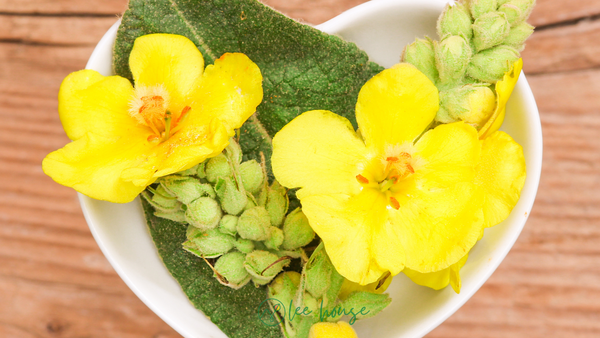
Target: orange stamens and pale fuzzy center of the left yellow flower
(150,107)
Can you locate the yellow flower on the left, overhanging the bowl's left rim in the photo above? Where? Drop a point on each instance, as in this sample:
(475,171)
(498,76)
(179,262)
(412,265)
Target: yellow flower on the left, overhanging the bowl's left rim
(177,115)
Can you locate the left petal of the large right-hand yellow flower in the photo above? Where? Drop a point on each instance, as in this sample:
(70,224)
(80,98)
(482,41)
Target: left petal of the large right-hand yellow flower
(319,152)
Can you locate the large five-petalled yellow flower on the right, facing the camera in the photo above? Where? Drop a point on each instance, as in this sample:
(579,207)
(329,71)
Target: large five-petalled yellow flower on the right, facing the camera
(398,195)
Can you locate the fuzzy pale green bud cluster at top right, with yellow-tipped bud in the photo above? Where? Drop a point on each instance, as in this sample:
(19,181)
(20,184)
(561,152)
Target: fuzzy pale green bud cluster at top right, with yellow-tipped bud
(479,42)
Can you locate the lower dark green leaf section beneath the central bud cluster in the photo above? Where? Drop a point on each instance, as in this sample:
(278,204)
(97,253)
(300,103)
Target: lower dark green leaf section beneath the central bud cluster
(235,312)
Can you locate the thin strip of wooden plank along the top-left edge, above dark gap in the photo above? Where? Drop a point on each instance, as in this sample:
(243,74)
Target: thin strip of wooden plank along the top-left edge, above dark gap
(62,7)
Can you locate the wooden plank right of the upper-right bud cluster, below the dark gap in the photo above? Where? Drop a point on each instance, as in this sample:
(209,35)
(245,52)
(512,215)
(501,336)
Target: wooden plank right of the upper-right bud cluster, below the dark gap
(563,48)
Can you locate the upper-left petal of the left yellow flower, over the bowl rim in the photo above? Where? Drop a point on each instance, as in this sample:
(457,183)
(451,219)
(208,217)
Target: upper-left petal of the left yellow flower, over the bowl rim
(90,102)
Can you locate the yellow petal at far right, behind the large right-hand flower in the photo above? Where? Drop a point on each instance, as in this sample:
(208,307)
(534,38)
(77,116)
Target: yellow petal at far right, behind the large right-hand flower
(501,174)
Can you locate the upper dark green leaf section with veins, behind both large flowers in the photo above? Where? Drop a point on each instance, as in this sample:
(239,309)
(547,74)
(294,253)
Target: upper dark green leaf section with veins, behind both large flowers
(303,68)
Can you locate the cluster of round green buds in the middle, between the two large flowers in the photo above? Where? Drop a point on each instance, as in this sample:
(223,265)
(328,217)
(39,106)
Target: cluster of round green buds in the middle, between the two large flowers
(235,217)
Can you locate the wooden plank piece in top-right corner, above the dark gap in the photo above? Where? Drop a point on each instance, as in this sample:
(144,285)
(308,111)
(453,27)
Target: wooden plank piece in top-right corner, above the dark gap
(549,12)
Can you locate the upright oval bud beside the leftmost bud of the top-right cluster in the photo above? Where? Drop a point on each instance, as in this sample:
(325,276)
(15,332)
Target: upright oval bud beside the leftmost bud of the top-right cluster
(452,55)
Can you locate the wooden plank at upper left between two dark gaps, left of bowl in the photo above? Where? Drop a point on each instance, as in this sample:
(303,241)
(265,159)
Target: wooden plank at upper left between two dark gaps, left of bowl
(54,30)
